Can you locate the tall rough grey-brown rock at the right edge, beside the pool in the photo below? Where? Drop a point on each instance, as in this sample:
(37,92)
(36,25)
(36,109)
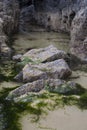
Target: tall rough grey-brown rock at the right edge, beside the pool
(79,34)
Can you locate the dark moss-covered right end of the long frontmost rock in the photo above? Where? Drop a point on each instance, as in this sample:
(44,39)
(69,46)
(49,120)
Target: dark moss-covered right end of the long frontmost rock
(69,88)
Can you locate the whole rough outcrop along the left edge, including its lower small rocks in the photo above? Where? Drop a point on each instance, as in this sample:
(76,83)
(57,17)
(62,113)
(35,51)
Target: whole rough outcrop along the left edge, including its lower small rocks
(9,15)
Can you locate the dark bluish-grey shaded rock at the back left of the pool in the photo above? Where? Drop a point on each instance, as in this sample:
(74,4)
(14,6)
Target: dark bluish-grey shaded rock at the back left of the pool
(27,18)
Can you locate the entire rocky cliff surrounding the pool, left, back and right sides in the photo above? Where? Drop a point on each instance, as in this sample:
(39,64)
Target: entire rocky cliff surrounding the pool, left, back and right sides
(66,15)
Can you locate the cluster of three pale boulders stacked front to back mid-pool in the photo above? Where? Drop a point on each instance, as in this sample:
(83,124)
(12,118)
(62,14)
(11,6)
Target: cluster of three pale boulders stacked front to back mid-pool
(45,69)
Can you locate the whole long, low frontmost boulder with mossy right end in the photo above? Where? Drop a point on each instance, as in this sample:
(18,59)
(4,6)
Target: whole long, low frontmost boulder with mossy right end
(51,85)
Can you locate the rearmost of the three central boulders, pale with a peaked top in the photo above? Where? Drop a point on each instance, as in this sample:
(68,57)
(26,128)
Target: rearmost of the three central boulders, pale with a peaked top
(47,54)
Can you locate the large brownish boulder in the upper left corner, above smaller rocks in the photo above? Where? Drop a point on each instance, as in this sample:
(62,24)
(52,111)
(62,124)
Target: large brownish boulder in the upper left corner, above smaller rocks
(11,16)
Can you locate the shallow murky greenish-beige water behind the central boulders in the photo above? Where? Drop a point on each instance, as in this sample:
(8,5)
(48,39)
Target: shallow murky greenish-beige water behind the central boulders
(41,39)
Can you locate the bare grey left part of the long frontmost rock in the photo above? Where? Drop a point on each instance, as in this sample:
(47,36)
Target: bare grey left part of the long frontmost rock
(35,86)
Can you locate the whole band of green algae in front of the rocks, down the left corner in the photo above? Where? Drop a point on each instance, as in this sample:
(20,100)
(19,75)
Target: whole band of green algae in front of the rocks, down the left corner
(38,105)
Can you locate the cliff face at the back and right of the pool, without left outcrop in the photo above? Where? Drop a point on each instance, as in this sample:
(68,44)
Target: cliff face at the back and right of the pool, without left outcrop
(66,15)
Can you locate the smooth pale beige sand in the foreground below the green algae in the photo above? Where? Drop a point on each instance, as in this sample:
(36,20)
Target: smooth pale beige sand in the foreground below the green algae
(70,118)
